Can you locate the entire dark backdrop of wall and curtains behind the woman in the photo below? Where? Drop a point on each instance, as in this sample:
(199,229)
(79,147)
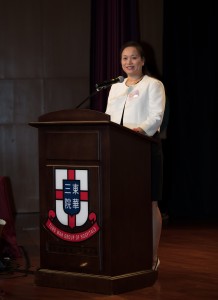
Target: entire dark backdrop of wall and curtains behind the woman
(53,52)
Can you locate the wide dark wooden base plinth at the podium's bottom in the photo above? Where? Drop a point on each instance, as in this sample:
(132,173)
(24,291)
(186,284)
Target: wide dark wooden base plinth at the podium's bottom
(92,283)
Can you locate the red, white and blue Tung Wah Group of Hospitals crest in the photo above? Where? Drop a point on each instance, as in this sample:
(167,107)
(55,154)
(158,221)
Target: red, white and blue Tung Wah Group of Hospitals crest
(72,206)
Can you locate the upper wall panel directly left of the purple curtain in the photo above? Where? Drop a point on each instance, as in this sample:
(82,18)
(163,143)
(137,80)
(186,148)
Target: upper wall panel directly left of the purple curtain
(66,37)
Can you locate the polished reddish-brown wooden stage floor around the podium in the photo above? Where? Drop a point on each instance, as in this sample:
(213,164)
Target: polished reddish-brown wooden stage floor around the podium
(188,270)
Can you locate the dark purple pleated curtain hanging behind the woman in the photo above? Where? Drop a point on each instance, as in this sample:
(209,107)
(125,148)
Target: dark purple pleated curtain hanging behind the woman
(112,23)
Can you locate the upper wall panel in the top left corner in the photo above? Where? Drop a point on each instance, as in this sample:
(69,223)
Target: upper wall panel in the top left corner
(20,39)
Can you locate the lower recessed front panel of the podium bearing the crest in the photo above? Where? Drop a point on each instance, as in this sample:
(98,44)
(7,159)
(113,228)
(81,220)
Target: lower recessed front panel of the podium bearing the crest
(71,240)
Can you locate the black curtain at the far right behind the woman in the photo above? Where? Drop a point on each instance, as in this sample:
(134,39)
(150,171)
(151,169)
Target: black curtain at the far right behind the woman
(190,77)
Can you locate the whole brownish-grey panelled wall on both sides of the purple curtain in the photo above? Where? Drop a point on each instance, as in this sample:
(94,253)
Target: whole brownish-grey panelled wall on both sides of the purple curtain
(44,67)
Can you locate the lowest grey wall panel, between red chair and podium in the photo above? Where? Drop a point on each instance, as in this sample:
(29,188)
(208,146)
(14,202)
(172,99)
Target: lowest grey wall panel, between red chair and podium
(19,159)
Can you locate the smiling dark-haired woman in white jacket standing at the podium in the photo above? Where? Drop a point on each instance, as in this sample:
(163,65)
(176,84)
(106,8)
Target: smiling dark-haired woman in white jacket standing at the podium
(138,103)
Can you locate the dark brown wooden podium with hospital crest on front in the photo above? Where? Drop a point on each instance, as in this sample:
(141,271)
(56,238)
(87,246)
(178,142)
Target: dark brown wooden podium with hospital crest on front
(95,204)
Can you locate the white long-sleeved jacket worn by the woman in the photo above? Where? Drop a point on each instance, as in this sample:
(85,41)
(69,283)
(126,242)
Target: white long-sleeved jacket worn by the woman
(144,104)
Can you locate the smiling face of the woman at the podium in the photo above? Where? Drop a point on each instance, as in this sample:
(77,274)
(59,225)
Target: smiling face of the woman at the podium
(132,62)
